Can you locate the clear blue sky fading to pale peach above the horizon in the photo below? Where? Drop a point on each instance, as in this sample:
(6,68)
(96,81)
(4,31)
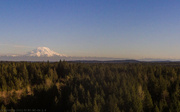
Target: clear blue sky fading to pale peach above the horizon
(103,28)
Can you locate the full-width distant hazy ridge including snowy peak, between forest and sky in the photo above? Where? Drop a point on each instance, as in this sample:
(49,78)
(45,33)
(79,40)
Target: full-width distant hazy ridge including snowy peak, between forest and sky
(45,54)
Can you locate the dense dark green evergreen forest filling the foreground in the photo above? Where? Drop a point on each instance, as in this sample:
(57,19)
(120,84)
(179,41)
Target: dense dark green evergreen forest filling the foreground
(89,87)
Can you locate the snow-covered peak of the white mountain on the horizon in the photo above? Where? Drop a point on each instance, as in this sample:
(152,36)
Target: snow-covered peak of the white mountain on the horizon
(43,52)
